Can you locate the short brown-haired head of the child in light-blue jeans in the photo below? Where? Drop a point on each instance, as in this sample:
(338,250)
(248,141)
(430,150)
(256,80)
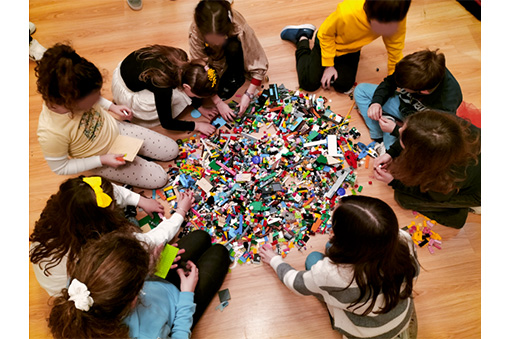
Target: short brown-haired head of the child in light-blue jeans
(420,71)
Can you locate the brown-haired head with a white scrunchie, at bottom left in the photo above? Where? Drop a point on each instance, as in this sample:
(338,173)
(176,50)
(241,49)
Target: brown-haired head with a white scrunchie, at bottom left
(113,269)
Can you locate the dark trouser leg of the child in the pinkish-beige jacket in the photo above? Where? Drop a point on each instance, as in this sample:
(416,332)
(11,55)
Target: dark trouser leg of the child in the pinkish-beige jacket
(233,77)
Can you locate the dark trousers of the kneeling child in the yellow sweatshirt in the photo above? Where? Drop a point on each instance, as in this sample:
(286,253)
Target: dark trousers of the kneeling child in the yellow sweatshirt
(309,67)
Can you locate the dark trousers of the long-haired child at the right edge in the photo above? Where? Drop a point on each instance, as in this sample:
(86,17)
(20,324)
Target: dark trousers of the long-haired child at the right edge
(452,213)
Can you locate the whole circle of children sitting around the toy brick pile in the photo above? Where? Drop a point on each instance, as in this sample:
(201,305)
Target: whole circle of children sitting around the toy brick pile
(99,267)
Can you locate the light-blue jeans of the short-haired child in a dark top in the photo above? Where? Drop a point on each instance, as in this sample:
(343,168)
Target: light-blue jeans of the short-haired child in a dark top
(363,94)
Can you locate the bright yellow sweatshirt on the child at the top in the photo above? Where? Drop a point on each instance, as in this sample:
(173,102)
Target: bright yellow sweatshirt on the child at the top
(347,30)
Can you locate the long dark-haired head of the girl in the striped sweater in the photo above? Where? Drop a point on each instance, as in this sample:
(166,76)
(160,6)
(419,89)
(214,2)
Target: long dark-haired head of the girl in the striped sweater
(366,236)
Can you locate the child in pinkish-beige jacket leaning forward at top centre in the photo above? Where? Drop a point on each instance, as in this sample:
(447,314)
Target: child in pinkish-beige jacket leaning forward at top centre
(222,36)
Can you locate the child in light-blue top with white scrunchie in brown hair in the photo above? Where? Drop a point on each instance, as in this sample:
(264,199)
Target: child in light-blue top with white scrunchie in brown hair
(110,296)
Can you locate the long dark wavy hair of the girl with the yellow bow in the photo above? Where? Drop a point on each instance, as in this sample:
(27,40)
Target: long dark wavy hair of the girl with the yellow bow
(70,219)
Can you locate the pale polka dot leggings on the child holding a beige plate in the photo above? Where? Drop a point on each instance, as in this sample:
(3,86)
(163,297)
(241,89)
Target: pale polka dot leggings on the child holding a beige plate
(142,173)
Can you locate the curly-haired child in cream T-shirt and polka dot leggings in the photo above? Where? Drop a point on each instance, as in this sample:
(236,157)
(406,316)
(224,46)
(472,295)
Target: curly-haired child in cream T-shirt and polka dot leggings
(75,130)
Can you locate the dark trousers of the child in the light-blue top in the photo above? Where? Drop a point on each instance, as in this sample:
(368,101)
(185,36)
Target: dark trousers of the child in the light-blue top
(212,262)
